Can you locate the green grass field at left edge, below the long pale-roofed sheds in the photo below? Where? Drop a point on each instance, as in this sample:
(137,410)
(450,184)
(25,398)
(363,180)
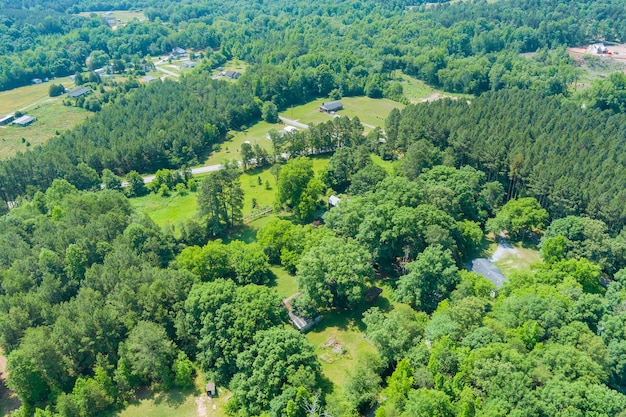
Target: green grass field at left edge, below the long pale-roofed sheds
(51,117)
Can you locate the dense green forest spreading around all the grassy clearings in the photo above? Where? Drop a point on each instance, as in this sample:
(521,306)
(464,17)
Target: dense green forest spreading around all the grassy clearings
(98,303)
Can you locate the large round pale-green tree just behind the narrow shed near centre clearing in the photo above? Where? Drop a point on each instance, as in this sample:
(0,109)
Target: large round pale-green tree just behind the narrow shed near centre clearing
(333,274)
